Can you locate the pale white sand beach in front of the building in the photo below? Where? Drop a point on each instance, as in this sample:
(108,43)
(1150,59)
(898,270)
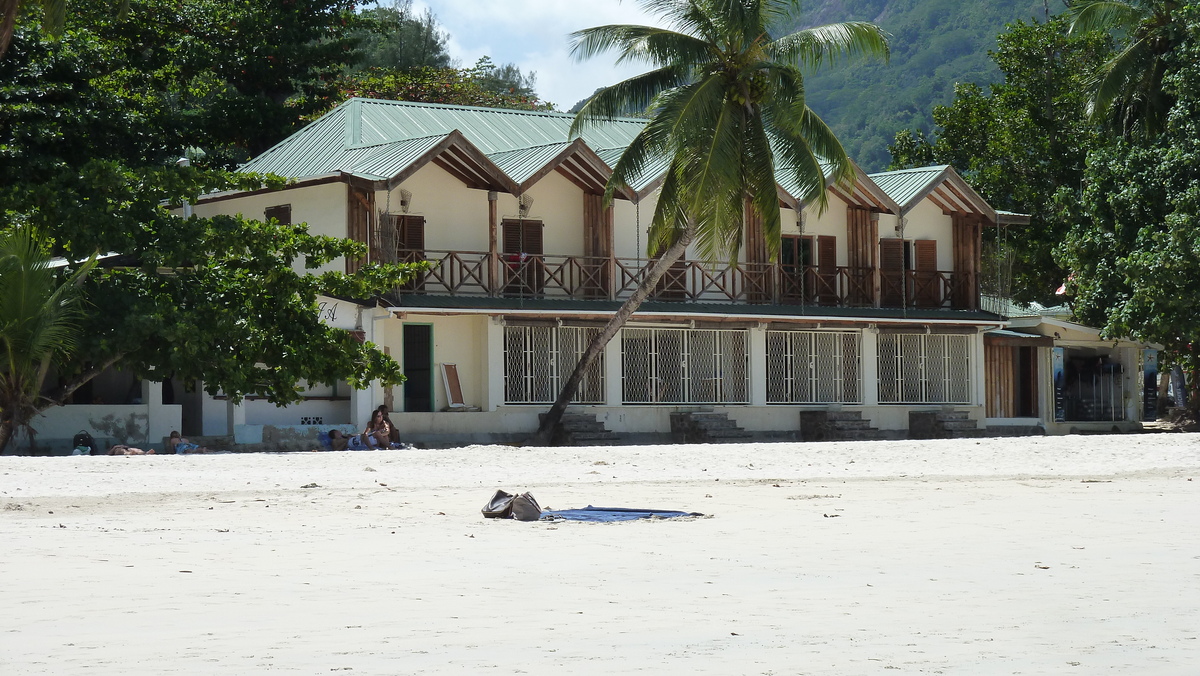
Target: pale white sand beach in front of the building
(1063,555)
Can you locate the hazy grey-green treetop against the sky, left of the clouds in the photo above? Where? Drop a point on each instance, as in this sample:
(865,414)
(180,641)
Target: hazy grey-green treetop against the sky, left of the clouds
(399,38)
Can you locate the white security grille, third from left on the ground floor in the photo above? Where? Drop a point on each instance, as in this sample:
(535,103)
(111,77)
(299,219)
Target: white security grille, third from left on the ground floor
(814,368)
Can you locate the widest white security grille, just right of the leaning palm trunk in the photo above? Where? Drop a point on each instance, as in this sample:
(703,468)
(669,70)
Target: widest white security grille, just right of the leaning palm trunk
(686,367)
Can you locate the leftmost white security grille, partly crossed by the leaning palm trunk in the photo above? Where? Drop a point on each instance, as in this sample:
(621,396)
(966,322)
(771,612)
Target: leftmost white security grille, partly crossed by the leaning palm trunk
(539,360)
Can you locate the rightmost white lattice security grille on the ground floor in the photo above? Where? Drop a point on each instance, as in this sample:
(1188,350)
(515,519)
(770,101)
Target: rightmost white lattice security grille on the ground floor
(925,369)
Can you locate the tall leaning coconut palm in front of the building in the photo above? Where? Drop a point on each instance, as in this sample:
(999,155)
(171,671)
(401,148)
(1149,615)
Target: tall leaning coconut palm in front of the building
(728,112)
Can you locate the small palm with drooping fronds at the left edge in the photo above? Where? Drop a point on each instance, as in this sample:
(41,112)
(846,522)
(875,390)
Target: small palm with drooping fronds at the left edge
(39,321)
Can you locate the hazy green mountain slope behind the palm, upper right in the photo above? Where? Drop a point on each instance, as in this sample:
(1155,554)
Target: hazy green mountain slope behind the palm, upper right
(935,44)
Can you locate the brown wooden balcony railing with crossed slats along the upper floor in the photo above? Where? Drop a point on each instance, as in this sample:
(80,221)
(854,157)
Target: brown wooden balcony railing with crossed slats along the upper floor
(472,273)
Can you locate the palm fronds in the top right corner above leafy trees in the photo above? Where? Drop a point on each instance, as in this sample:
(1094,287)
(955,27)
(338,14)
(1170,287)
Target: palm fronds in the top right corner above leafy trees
(1127,93)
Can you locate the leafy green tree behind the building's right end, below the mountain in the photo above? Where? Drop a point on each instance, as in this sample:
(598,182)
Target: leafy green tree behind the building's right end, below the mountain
(1022,145)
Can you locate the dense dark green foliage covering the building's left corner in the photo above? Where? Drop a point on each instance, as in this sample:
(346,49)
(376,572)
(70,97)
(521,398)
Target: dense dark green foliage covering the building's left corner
(91,127)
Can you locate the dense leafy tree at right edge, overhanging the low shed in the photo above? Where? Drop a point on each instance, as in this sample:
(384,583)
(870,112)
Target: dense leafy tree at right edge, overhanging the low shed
(1135,253)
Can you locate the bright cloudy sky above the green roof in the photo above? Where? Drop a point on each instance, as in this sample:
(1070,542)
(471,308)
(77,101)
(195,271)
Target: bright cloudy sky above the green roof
(533,34)
